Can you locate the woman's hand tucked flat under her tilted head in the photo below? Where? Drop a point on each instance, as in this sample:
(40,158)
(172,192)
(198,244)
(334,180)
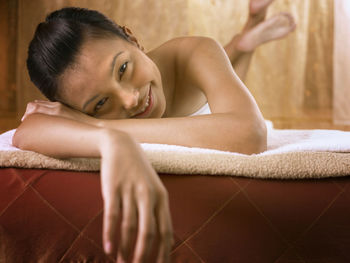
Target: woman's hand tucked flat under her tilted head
(56,109)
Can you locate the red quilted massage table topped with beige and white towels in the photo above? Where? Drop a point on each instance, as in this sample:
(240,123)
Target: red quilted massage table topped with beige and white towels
(258,213)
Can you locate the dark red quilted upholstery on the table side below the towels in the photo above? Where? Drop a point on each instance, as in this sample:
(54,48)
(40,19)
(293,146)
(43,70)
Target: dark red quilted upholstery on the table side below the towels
(56,216)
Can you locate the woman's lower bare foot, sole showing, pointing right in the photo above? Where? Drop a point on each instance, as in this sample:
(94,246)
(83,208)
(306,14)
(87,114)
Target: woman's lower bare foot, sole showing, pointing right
(271,29)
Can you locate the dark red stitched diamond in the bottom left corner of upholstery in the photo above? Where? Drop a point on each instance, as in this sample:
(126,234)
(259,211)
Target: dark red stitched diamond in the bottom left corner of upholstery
(35,229)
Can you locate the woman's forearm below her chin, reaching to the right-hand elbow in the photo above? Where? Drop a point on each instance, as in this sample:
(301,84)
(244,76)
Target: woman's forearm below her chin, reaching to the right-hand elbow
(221,131)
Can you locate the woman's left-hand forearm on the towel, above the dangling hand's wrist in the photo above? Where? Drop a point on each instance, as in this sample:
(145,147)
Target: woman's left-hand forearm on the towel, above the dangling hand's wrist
(63,138)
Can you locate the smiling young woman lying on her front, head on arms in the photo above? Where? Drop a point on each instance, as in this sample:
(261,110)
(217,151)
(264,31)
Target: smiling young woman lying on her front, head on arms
(106,94)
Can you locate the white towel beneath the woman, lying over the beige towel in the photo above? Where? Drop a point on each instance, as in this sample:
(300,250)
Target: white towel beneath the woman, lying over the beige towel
(278,141)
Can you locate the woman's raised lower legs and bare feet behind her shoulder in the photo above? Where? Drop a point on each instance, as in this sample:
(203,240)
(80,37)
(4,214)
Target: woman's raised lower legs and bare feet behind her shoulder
(256,32)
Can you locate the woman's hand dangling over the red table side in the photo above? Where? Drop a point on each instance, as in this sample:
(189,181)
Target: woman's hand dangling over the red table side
(129,183)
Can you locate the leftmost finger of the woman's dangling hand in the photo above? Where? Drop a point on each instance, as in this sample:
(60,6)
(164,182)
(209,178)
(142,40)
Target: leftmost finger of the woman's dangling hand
(110,218)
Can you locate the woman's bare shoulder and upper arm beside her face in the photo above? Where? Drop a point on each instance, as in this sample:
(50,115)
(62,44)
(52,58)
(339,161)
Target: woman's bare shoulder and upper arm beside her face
(202,65)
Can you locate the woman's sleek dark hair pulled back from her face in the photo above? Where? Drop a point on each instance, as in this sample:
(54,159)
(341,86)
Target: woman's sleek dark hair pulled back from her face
(57,41)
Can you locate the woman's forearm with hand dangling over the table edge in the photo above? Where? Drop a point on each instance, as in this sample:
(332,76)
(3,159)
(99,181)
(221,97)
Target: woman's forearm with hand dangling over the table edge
(127,179)
